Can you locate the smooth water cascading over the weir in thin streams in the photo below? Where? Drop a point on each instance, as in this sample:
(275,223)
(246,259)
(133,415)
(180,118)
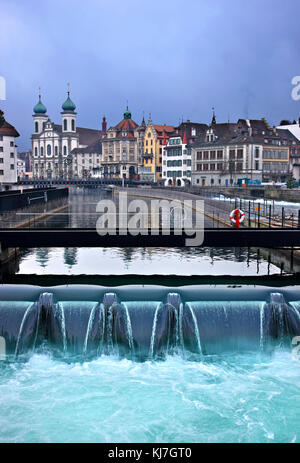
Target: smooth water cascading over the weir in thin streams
(146,322)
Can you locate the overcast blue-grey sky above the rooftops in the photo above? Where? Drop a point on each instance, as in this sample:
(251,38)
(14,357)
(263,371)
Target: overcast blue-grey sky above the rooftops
(172,59)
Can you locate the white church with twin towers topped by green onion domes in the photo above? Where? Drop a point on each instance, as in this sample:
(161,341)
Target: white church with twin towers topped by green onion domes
(53,144)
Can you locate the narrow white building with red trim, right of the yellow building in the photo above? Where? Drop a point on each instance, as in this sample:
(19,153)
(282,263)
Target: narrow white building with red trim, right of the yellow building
(176,162)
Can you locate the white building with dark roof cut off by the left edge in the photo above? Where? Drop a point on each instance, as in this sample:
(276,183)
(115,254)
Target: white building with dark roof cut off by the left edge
(8,154)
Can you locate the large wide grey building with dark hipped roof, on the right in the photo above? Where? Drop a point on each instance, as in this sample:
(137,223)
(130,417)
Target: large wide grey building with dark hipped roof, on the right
(248,151)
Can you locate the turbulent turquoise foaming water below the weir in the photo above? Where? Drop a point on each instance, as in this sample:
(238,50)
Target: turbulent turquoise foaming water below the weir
(247,398)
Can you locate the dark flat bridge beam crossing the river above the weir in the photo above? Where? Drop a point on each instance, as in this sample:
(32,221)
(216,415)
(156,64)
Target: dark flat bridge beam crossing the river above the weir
(84,237)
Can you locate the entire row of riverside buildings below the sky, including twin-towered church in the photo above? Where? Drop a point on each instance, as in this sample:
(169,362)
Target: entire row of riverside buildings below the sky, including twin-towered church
(225,154)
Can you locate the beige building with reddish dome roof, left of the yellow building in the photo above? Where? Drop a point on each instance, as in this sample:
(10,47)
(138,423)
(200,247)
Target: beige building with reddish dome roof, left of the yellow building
(121,148)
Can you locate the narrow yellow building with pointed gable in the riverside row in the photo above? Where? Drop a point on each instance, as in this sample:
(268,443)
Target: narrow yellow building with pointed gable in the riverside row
(155,137)
